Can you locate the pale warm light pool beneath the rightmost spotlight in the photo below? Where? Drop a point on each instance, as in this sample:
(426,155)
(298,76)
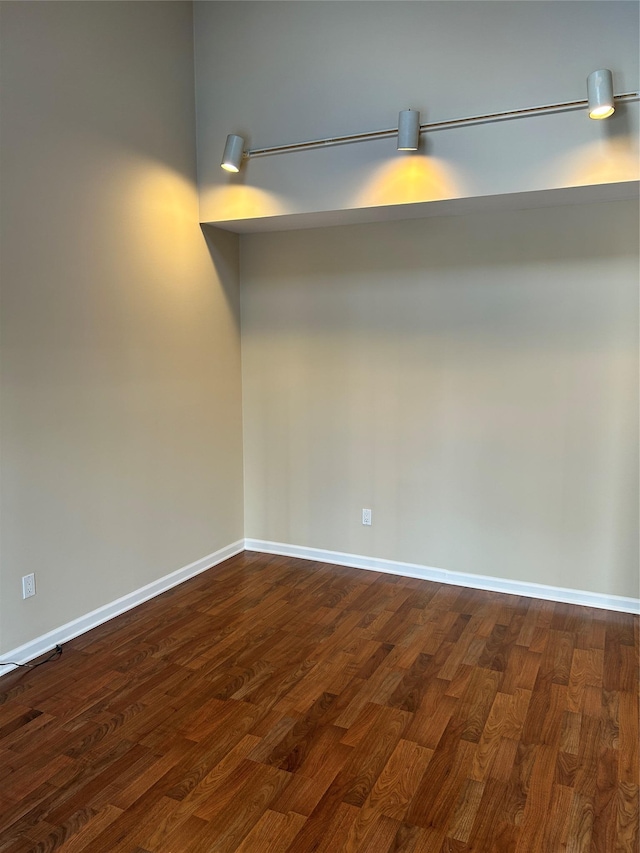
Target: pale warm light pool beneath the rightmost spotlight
(606,161)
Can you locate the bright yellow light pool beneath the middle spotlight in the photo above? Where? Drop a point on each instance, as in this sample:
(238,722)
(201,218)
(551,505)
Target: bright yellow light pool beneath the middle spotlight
(407,180)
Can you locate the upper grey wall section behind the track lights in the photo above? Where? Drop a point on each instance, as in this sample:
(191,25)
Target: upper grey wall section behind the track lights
(282,72)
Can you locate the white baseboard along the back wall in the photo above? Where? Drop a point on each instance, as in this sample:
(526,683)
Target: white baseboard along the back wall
(413,570)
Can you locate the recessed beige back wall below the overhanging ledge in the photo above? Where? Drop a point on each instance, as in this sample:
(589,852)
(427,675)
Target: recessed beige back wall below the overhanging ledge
(473,380)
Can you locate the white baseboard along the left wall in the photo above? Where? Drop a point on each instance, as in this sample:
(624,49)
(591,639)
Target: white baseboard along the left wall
(48,641)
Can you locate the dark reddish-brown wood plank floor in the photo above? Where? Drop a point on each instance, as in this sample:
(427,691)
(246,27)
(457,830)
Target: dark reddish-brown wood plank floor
(274,705)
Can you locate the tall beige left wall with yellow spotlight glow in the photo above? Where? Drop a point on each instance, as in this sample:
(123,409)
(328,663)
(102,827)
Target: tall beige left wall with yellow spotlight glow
(121,410)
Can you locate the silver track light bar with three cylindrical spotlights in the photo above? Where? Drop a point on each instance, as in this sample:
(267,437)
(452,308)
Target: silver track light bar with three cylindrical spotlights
(600,101)
